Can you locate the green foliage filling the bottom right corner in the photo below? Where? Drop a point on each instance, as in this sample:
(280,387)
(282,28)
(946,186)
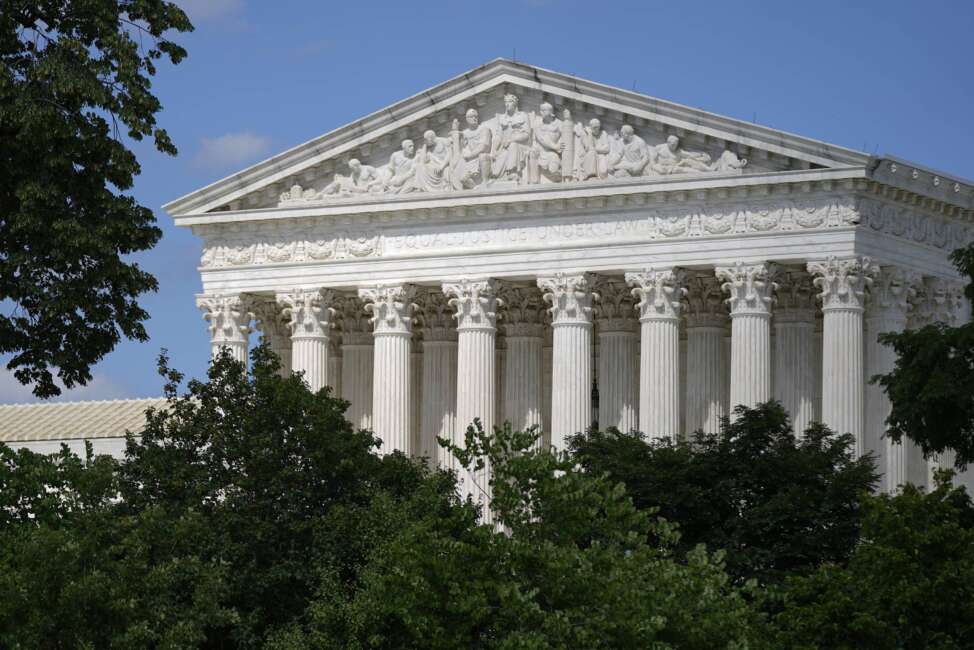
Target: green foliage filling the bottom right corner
(910,583)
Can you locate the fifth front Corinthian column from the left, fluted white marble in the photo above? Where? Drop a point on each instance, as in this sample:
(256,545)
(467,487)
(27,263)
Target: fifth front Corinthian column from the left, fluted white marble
(570,297)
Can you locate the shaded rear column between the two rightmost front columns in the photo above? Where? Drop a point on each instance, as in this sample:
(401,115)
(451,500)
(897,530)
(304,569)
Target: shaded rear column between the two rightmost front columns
(794,373)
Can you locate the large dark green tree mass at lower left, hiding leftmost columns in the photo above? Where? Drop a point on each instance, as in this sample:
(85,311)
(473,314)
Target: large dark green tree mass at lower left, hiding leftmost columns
(215,528)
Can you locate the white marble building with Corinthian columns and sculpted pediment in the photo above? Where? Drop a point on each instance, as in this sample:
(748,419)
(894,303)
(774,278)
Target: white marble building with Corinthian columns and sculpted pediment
(519,244)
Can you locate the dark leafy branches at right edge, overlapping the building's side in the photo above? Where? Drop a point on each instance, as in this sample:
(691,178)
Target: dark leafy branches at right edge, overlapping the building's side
(931,387)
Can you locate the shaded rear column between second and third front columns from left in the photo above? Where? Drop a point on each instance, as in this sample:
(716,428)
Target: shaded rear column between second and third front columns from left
(358,357)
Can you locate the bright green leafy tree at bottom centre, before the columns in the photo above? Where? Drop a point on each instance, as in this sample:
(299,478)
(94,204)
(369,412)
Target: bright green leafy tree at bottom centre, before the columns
(573,567)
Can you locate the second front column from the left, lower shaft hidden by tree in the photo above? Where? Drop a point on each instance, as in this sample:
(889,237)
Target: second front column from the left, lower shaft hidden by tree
(310,317)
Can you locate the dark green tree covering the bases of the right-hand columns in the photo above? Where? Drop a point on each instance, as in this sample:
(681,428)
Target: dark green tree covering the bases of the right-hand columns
(775,504)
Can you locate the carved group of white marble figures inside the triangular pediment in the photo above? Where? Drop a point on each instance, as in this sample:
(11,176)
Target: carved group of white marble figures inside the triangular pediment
(516,148)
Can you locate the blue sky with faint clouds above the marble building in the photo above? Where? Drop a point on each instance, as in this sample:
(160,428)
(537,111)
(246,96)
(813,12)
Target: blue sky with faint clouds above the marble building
(885,77)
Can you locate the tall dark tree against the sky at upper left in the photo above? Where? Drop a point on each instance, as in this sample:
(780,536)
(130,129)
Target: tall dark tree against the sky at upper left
(75,78)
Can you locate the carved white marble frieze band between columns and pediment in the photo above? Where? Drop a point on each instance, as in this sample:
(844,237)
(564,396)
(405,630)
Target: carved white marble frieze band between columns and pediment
(285,243)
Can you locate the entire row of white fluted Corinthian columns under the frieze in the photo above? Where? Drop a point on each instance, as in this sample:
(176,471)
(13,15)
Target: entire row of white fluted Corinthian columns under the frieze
(639,371)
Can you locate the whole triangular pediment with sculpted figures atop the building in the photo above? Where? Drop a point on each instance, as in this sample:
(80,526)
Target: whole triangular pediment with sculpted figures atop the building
(547,138)
